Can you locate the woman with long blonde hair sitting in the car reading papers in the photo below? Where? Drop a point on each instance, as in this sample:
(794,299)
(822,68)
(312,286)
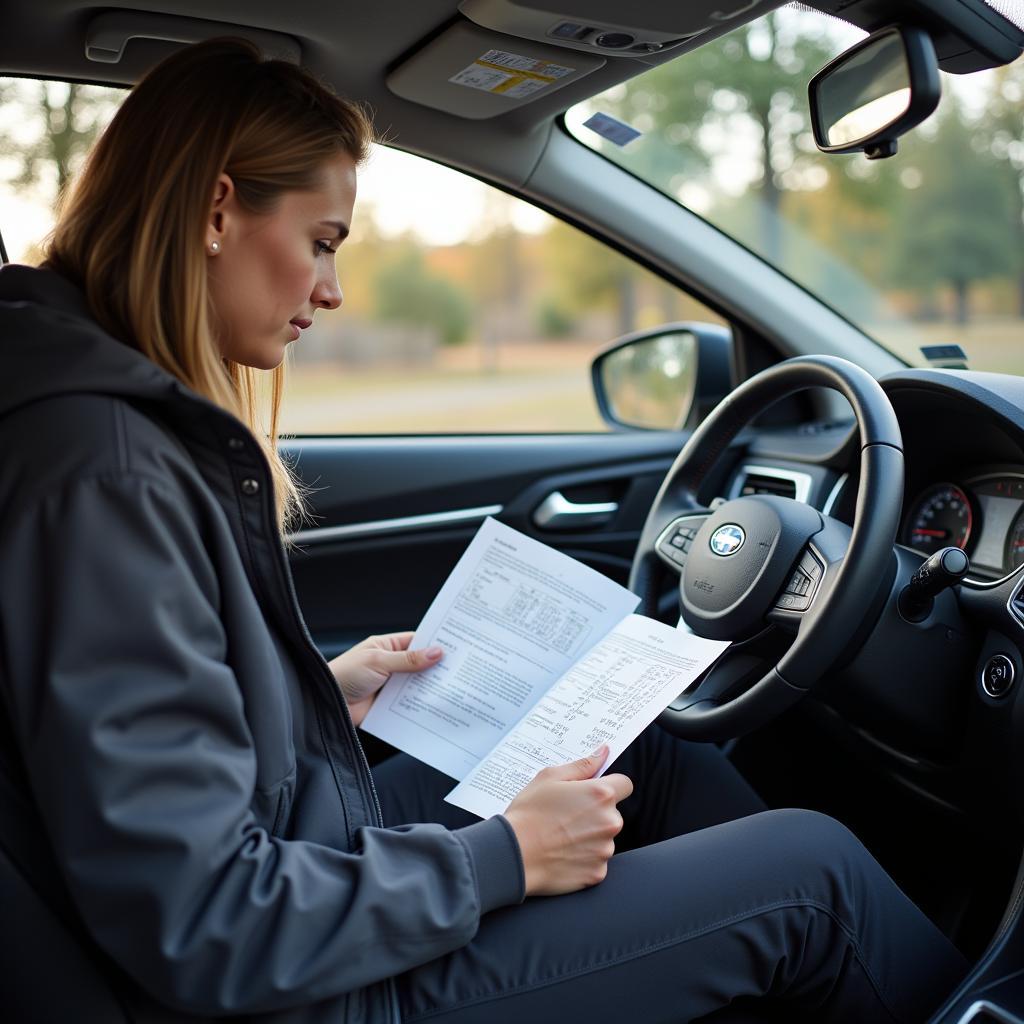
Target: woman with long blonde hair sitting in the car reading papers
(189,824)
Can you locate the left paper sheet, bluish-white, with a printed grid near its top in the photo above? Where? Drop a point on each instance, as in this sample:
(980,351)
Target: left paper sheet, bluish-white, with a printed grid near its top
(511,619)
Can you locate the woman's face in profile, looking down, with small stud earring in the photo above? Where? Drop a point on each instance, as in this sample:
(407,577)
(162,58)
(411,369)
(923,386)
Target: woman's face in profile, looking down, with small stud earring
(269,274)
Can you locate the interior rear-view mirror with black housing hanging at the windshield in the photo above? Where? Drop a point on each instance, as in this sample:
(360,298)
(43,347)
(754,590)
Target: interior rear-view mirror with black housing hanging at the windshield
(875,93)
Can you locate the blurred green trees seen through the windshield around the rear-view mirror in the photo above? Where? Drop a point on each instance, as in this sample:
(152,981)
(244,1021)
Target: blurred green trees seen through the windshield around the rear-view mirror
(941,220)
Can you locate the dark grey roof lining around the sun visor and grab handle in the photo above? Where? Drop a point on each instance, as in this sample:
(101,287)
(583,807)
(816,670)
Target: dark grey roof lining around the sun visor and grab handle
(342,44)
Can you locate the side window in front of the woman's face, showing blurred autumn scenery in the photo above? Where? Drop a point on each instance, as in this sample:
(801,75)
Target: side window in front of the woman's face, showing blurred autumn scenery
(466,311)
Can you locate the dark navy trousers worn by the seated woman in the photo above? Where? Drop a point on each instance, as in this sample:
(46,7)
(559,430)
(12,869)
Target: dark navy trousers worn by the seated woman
(716,909)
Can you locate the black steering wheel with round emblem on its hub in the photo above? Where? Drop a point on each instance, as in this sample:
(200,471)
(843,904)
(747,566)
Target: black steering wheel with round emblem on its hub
(763,561)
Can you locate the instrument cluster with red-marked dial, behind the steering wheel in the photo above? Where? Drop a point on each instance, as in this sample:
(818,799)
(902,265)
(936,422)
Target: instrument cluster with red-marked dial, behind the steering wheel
(984,517)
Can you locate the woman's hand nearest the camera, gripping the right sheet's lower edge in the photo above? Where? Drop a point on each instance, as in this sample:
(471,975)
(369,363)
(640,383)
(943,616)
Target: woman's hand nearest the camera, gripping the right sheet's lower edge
(566,822)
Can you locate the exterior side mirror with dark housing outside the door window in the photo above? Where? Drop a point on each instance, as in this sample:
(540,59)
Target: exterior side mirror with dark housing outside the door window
(664,379)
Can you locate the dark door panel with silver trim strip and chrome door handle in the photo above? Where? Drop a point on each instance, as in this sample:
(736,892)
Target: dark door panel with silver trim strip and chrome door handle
(394,516)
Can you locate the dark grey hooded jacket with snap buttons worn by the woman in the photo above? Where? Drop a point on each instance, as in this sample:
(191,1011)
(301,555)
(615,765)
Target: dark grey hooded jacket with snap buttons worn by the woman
(185,805)
